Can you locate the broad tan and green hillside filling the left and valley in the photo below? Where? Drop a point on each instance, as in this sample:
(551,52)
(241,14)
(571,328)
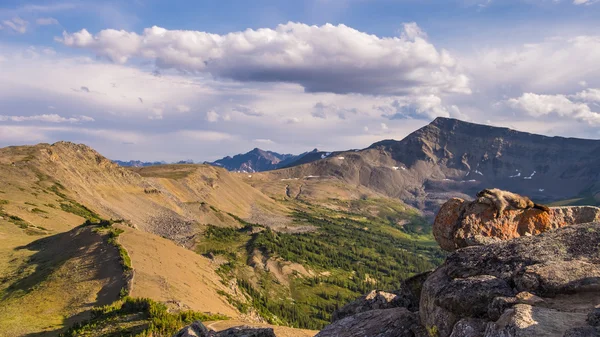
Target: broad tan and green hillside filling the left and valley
(193,240)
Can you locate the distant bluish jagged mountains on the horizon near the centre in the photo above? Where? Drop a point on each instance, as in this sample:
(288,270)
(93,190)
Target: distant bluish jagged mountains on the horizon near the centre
(259,160)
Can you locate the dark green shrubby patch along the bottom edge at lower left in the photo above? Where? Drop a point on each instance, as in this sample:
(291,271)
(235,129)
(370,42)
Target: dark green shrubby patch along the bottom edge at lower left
(139,317)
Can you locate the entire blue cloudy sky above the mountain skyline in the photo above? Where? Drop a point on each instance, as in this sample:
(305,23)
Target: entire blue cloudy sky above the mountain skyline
(172,80)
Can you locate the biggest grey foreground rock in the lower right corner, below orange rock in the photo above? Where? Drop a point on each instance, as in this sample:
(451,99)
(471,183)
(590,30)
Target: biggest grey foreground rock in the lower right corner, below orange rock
(545,285)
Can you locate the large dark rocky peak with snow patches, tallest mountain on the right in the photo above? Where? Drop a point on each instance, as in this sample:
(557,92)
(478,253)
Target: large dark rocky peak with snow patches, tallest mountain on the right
(449,157)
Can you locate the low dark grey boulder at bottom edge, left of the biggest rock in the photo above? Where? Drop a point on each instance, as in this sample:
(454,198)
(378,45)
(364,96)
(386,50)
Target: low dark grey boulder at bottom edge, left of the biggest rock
(394,322)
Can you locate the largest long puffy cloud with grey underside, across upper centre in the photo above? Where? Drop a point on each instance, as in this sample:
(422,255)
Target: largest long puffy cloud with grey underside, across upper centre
(327,58)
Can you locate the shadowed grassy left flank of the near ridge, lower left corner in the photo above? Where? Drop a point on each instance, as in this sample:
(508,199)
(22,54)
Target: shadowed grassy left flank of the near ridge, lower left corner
(68,274)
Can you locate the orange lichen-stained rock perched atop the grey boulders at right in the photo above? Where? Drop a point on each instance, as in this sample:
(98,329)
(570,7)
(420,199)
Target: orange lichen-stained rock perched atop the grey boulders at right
(461,223)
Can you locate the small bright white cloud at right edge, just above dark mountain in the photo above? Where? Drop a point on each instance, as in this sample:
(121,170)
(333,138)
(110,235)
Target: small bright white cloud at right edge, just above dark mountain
(560,105)
